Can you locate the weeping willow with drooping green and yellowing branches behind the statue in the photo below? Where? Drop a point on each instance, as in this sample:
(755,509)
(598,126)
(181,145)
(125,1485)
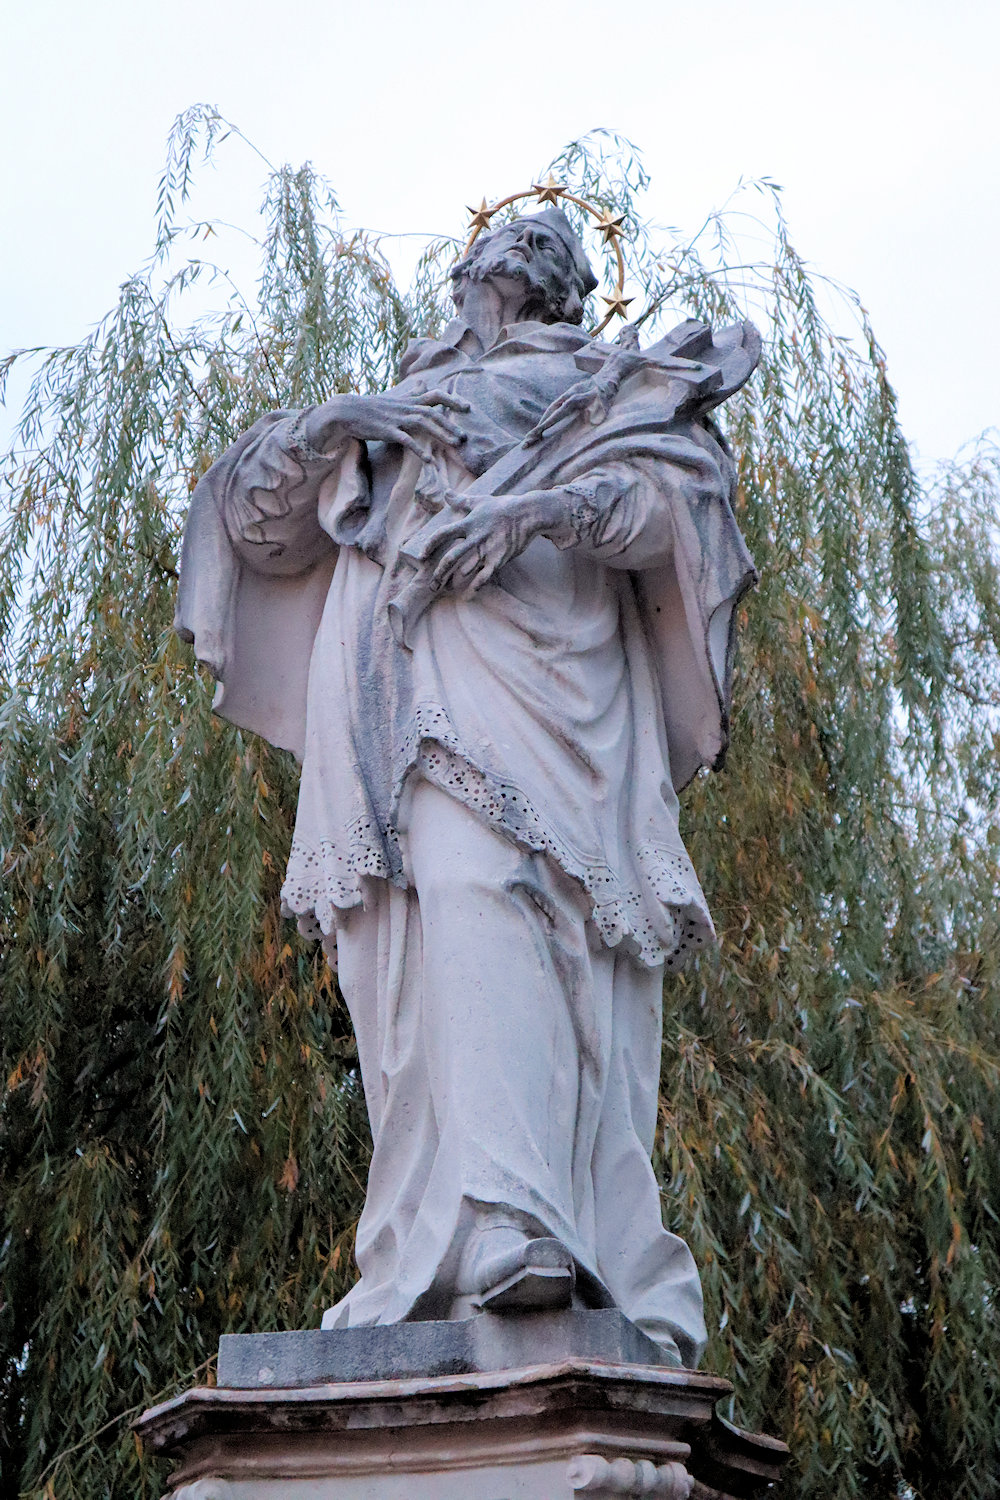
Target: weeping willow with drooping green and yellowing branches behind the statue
(182,1133)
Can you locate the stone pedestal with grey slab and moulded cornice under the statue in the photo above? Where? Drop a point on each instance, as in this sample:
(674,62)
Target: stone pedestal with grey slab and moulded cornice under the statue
(322,1417)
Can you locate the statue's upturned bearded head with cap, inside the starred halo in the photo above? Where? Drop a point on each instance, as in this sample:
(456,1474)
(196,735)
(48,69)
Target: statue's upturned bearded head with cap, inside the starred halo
(537,259)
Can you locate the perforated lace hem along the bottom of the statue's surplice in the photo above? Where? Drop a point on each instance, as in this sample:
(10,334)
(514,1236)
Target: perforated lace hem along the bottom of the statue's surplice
(322,878)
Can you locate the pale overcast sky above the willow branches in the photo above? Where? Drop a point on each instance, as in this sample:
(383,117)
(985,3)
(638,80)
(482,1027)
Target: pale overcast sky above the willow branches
(879,118)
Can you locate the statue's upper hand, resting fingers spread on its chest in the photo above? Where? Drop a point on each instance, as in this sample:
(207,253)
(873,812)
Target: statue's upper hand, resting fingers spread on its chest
(415,422)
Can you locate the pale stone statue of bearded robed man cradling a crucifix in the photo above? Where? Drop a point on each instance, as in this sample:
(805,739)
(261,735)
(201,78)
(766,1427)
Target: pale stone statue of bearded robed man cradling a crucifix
(491,611)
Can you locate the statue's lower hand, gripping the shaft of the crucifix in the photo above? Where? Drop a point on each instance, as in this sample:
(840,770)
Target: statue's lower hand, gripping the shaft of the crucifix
(466,553)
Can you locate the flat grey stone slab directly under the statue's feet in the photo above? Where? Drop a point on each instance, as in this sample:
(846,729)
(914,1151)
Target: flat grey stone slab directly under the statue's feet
(401,1351)
